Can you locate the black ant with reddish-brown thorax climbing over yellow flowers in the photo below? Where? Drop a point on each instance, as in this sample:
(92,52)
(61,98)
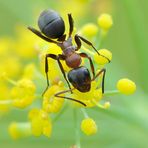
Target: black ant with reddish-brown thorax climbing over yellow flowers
(52,27)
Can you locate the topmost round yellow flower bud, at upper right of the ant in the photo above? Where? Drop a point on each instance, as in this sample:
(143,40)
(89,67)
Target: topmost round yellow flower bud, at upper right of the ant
(105,21)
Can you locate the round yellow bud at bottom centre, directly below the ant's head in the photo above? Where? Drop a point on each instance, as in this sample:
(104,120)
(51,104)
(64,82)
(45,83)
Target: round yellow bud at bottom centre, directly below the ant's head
(88,126)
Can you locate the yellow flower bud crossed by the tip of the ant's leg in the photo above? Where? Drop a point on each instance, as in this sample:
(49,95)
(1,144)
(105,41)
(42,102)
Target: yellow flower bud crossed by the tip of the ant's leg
(102,60)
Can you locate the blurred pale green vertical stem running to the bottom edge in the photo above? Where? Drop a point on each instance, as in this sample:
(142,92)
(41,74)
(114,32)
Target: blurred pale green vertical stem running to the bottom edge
(77,132)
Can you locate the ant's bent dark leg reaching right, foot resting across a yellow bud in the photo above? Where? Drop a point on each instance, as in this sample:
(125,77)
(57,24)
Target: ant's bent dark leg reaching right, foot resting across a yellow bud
(78,42)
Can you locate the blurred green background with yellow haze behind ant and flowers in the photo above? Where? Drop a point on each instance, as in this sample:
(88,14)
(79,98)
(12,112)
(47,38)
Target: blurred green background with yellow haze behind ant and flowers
(126,124)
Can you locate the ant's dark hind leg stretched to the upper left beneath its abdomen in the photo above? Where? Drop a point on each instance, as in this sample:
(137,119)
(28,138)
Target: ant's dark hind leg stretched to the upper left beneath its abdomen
(41,36)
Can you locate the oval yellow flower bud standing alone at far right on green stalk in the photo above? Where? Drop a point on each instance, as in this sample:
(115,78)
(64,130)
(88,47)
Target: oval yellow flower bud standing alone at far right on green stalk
(126,86)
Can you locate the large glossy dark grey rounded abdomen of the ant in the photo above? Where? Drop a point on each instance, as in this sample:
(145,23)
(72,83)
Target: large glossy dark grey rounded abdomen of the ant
(51,24)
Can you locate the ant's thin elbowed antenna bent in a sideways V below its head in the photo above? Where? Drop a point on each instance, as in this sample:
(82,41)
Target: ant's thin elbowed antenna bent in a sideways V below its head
(68,98)
